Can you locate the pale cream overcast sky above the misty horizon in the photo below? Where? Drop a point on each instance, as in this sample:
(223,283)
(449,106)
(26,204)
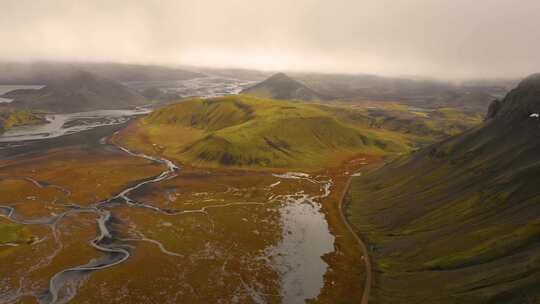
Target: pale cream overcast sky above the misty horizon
(439,38)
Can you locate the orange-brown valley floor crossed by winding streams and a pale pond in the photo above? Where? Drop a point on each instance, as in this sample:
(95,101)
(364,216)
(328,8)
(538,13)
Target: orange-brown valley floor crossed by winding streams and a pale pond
(198,235)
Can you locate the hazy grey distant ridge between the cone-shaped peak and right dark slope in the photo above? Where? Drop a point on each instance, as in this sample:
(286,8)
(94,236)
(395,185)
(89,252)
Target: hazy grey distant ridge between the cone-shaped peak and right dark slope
(471,96)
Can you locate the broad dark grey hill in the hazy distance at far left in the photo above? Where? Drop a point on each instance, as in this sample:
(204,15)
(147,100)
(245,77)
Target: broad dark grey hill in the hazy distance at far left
(80,91)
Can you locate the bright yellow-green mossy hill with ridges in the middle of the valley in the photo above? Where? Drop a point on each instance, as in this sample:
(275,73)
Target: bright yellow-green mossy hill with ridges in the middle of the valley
(249,131)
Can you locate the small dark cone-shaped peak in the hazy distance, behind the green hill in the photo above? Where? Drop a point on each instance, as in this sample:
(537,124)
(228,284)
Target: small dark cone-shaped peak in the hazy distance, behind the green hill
(281,86)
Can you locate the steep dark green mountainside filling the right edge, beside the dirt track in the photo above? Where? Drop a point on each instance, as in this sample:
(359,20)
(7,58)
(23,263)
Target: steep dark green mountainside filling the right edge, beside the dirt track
(459,221)
